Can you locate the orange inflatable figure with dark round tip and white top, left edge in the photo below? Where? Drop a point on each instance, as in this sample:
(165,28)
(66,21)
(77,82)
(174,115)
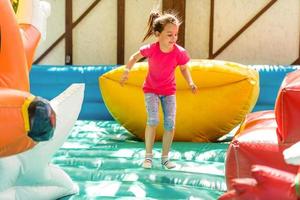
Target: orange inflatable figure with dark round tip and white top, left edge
(24,118)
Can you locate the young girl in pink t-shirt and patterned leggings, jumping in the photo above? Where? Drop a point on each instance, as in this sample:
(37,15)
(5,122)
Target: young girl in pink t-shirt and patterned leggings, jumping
(163,58)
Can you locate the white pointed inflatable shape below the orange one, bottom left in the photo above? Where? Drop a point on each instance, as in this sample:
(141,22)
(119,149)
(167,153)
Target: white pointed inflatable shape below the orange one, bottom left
(29,175)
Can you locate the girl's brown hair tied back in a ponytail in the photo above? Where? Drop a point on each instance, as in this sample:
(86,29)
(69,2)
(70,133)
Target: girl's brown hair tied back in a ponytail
(157,22)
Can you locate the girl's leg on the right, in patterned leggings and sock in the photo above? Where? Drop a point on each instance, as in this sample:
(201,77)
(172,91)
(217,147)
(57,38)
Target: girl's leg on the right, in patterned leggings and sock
(169,110)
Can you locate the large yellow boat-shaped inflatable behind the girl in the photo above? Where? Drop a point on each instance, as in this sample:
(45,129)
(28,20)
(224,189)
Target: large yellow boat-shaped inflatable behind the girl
(227,92)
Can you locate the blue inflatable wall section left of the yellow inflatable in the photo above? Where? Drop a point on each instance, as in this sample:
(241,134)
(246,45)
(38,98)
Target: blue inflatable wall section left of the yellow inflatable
(49,81)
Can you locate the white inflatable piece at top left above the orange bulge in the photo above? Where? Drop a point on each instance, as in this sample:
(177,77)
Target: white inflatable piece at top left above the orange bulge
(34,12)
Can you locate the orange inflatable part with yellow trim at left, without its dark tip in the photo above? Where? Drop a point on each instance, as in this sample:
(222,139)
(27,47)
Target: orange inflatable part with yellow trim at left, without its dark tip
(17,46)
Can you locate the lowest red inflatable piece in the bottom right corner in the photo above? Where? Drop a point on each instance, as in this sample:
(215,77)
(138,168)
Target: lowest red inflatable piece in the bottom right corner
(268,183)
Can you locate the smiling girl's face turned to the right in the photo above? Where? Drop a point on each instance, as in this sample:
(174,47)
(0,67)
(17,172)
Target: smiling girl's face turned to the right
(168,37)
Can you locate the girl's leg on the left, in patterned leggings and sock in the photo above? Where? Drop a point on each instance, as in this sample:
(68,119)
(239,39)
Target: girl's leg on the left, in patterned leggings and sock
(152,103)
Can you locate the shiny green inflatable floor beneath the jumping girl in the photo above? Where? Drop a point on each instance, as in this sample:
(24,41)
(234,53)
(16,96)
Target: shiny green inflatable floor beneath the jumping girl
(105,161)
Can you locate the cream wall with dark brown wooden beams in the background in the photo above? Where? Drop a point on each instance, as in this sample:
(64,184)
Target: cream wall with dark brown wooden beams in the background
(109,31)
